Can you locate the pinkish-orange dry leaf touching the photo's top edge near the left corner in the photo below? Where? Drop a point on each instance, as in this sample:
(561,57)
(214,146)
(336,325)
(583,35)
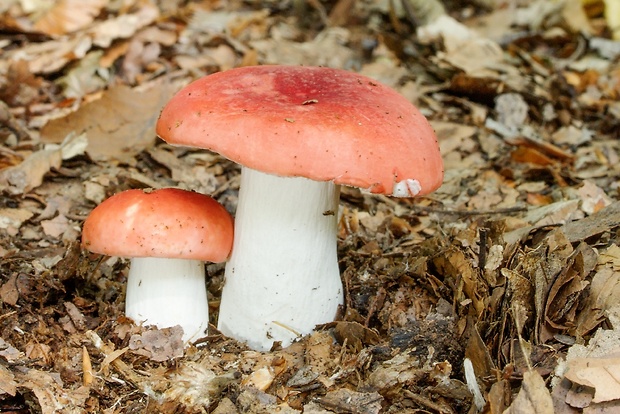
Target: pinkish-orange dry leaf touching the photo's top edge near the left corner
(67,16)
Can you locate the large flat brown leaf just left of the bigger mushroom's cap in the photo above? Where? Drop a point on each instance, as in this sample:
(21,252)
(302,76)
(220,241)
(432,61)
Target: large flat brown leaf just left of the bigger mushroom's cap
(119,125)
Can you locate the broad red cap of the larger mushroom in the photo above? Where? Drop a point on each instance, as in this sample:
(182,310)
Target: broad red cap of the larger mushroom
(320,123)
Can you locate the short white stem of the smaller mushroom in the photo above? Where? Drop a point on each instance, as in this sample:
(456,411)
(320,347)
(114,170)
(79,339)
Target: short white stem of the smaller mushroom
(168,292)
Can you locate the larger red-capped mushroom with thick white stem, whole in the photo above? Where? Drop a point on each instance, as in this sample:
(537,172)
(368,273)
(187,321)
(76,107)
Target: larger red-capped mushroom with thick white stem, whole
(299,133)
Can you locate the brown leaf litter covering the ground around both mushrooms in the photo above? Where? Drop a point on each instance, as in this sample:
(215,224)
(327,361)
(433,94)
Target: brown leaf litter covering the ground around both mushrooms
(497,293)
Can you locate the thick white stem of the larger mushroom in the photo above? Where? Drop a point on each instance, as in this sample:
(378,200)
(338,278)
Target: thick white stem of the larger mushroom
(283,277)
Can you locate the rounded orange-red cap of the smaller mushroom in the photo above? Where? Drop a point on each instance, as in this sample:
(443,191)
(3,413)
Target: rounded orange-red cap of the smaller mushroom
(168,223)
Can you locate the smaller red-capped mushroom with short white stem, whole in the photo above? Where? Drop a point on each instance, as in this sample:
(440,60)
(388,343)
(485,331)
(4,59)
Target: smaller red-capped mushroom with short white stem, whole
(167,233)
